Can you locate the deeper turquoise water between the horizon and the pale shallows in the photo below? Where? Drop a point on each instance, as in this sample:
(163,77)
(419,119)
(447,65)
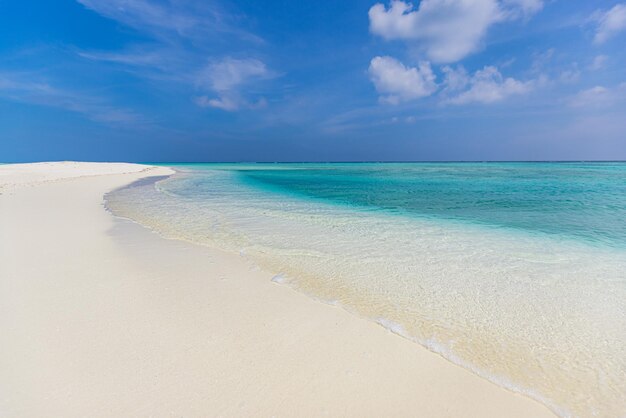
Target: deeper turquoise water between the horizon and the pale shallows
(577,200)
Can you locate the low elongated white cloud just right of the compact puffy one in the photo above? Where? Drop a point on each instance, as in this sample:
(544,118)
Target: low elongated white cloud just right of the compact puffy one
(484,86)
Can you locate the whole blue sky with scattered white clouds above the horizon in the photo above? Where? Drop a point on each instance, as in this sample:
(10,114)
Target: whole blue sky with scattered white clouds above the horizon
(279,80)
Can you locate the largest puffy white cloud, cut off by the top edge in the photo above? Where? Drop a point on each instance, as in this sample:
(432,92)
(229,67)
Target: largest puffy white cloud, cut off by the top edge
(447,30)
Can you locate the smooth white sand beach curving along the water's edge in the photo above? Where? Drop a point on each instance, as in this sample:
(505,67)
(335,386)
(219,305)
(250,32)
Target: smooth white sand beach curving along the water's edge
(99,317)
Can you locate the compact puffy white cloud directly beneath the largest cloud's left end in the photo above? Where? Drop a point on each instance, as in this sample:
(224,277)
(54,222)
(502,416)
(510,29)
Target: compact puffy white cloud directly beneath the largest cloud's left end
(398,83)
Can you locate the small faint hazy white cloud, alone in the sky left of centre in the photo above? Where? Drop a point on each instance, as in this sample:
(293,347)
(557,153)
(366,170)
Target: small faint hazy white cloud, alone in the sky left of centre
(226,77)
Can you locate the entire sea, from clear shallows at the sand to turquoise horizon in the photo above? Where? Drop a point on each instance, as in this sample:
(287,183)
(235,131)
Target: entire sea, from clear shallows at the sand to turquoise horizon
(516,271)
